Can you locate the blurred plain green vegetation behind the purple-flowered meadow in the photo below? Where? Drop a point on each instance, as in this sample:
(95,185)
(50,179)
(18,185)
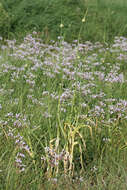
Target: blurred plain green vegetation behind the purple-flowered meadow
(103,18)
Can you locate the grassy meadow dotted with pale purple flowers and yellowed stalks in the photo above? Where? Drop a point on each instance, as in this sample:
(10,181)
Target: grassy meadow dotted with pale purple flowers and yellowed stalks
(63,114)
